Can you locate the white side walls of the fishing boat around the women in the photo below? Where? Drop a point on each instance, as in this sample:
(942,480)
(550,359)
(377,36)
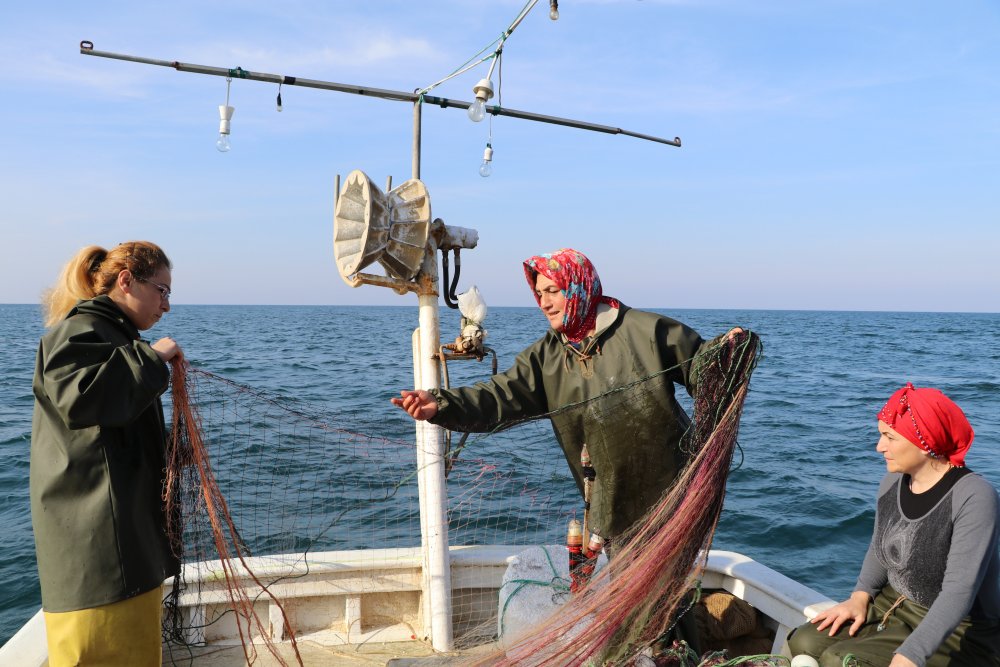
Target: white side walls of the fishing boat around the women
(341,598)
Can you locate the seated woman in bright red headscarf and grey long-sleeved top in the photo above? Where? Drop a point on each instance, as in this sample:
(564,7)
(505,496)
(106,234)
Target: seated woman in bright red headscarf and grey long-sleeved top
(929,588)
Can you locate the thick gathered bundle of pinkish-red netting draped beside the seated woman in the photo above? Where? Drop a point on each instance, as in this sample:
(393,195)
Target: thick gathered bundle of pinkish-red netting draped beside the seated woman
(630,604)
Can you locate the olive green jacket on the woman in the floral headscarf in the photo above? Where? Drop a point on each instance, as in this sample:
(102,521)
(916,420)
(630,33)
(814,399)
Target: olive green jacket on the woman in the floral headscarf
(632,435)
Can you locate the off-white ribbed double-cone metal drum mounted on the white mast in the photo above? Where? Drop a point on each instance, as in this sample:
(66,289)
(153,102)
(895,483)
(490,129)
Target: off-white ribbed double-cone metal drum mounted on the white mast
(370,226)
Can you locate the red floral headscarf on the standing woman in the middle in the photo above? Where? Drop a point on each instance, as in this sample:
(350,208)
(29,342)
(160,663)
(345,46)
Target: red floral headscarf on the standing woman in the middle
(573,273)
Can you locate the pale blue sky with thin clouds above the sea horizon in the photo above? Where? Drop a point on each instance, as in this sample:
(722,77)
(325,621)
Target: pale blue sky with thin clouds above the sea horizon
(836,154)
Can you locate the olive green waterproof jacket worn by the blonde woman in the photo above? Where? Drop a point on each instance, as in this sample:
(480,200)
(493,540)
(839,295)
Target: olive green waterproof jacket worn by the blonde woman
(97,461)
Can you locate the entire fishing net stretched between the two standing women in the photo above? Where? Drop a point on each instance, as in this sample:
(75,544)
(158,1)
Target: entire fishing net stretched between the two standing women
(295,524)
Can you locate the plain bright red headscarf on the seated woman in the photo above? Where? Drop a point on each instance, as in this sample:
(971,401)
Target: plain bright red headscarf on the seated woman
(930,420)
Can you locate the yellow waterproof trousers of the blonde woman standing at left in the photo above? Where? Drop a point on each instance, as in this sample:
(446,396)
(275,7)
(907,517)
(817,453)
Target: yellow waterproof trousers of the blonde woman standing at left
(125,633)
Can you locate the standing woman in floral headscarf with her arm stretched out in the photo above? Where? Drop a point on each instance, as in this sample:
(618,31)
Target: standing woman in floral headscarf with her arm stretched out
(595,345)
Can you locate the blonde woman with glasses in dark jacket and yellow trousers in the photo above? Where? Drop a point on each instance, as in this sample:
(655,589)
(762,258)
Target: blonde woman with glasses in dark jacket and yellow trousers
(97,457)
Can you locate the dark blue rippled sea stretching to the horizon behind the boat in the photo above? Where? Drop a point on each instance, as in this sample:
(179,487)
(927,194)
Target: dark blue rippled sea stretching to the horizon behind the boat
(801,501)
